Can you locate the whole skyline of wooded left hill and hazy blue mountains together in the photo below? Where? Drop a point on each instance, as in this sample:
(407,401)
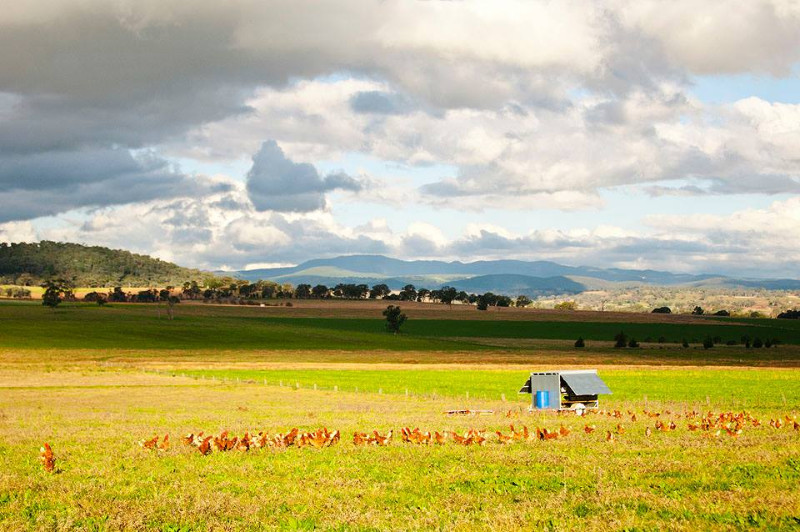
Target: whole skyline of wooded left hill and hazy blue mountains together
(98,266)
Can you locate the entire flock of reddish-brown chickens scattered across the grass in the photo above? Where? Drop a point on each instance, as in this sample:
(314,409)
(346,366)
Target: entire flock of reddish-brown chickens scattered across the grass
(710,425)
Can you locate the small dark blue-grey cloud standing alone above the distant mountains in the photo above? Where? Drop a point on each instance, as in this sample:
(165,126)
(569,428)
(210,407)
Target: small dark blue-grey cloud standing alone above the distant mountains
(275,183)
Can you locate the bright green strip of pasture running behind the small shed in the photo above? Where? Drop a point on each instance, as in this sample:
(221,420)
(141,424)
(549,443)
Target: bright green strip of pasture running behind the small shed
(720,388)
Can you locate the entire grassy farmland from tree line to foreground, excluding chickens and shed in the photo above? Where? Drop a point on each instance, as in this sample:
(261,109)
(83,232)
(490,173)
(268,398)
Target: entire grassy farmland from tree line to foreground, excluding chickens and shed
(94,381)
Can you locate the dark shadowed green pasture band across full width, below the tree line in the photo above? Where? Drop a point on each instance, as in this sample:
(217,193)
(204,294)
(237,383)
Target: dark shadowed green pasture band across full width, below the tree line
(79,326)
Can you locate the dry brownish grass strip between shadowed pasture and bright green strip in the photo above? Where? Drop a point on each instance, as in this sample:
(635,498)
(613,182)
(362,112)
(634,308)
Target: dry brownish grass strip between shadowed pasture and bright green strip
(525,353)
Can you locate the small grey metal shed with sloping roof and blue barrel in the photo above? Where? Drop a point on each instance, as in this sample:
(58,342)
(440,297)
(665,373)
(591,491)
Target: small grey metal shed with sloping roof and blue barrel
(567,389)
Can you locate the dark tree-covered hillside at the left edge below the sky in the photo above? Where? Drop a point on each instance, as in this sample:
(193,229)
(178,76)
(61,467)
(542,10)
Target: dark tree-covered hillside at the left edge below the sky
(31,264)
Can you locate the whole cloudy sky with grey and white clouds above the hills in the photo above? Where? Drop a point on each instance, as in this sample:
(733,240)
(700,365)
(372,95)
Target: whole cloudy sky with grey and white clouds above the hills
(247,133)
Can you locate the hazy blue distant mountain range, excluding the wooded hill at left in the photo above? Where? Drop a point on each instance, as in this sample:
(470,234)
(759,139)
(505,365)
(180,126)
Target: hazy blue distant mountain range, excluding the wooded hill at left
(510,277)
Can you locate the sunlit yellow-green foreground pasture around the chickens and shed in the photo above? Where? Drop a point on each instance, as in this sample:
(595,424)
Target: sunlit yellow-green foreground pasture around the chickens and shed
(669,481)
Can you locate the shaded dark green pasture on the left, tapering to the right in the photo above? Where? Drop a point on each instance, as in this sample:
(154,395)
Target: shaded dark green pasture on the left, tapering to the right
(79,326)
